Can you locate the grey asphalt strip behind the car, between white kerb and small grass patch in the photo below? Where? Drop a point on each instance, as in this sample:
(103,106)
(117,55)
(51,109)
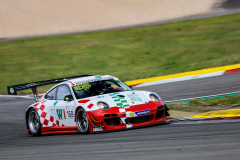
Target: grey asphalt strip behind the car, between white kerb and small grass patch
(196,88)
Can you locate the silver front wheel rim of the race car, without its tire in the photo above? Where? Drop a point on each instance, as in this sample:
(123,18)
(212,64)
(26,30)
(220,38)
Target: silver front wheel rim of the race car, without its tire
(82,121)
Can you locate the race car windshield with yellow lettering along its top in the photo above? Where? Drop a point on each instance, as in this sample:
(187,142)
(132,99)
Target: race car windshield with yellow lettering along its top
(99,87)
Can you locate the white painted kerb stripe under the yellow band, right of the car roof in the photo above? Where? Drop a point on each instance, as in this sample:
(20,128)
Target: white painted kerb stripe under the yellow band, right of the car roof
(182,78)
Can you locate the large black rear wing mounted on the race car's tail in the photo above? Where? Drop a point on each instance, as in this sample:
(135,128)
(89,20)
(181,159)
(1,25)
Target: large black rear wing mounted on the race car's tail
(12,90)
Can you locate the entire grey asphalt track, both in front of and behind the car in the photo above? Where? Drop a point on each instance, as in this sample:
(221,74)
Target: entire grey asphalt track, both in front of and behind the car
(177,141)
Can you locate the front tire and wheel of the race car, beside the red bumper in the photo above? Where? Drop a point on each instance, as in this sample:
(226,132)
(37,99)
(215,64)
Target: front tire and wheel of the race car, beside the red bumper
(82,121)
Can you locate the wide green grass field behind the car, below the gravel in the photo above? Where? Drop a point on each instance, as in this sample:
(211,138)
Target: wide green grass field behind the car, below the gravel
(128,53)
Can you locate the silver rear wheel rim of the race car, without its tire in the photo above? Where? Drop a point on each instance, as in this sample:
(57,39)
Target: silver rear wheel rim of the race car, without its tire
(33,121)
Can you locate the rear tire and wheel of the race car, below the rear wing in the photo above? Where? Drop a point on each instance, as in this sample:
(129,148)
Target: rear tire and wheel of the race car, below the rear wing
(34,122)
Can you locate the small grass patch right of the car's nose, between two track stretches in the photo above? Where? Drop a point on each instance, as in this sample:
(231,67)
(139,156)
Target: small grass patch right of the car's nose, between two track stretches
(205,105)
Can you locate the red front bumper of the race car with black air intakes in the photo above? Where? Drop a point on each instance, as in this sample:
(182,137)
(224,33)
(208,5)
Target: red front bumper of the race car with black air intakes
(120,118)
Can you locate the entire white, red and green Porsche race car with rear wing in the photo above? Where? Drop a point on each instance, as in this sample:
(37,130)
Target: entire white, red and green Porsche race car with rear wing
(88,104)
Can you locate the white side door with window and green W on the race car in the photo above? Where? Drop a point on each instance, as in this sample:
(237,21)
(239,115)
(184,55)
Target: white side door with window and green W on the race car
(64,110)
